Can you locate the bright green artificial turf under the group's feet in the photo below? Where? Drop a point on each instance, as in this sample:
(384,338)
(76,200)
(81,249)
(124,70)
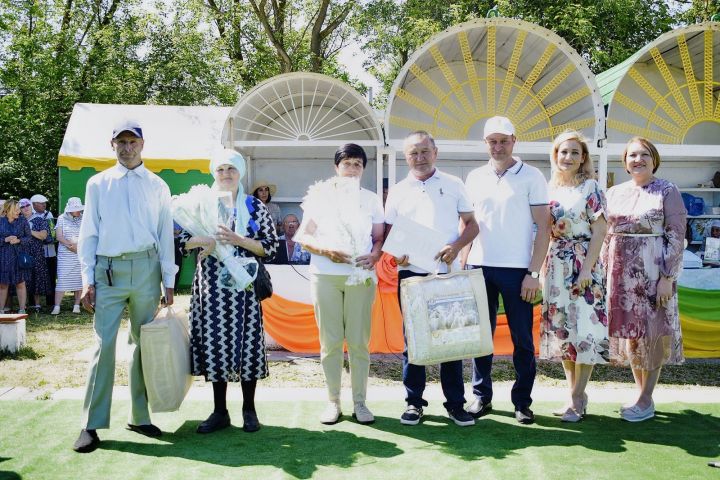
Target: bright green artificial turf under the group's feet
(36,439)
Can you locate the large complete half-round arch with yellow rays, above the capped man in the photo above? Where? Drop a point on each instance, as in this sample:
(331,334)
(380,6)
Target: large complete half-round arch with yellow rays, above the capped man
(497,66)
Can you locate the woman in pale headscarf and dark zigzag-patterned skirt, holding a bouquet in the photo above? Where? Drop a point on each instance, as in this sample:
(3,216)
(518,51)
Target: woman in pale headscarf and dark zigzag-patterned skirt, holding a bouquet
(226,327)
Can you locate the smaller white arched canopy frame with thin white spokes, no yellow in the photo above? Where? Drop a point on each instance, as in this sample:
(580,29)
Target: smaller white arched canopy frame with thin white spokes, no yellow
(302,116)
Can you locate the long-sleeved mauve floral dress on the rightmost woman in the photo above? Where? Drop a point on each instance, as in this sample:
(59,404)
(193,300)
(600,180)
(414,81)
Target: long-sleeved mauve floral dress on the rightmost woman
(646,230)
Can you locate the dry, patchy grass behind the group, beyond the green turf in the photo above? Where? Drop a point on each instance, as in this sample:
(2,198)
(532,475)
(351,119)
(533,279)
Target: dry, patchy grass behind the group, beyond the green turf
(57,353)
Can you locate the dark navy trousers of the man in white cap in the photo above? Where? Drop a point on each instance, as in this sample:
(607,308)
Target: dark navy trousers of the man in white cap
(507,282)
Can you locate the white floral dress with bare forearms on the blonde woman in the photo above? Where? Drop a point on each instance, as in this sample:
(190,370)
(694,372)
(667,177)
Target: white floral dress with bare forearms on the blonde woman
(574,323)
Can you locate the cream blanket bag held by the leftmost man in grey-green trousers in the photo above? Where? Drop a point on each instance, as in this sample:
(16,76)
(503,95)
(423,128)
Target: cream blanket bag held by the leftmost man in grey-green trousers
(166,359)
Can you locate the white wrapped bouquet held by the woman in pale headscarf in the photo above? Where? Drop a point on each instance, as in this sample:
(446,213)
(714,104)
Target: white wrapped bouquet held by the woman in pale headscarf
(198,212)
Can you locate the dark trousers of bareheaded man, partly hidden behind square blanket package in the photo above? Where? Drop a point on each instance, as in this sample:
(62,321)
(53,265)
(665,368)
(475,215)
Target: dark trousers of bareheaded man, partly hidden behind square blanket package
(451,376)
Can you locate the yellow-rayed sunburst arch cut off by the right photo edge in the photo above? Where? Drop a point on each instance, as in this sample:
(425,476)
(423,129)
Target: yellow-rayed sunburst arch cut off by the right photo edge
(669,90)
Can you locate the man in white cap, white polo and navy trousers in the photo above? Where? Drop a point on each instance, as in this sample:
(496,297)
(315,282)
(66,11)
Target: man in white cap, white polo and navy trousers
(509,197)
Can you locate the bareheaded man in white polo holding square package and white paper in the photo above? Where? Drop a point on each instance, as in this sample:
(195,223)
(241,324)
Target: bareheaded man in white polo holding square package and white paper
(436,200)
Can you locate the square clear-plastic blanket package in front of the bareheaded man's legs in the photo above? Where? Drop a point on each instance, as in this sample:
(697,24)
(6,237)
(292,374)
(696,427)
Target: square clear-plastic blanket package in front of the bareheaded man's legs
(446,317)
